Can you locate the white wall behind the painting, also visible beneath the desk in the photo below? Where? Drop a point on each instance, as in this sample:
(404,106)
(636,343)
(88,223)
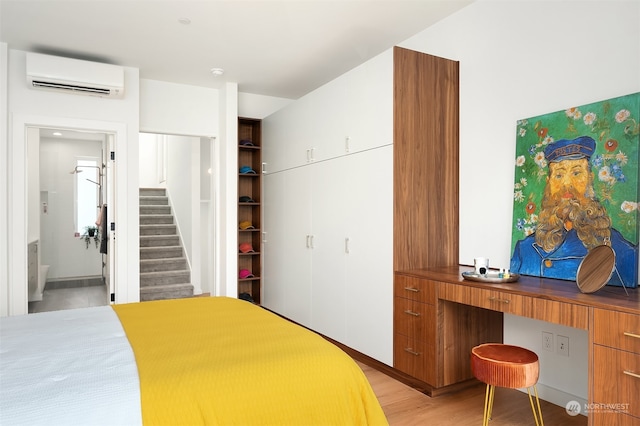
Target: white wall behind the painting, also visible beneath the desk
(519,59)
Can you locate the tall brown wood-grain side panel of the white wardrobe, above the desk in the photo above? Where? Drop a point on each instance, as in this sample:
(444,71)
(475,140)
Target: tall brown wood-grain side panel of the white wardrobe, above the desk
(426,151)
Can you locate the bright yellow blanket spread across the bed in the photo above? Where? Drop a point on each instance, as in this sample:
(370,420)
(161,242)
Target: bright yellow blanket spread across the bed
(224,361)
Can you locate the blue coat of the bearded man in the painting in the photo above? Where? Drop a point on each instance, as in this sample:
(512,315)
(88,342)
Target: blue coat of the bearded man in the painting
(563,262)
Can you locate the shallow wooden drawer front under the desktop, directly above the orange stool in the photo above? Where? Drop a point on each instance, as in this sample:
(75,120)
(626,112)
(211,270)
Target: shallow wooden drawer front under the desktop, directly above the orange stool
(488,299)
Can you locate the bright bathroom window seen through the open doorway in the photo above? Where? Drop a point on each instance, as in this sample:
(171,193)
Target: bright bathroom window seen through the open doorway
(87,173)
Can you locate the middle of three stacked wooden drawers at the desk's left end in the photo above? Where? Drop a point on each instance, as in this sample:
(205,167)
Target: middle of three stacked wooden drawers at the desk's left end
(414,319)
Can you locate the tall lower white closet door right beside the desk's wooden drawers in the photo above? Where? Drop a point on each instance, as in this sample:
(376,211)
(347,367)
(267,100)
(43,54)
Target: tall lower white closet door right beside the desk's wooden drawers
(369,279)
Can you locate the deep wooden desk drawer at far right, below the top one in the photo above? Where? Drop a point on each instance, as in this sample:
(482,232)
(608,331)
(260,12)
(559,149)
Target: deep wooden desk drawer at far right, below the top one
(616,375)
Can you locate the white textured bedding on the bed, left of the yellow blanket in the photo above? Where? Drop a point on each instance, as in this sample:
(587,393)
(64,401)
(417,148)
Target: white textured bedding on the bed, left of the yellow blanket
(72,367)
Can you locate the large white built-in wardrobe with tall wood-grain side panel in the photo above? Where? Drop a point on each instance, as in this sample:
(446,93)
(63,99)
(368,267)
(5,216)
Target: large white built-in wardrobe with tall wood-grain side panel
(353,170)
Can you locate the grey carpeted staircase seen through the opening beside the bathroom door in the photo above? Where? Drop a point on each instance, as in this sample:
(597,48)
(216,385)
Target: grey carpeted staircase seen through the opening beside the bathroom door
(164,272)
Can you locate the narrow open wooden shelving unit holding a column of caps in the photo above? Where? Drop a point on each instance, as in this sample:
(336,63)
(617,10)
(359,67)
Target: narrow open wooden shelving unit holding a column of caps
(249,209)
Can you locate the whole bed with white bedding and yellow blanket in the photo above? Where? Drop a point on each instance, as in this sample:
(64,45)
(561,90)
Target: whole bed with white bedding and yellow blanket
(208,360)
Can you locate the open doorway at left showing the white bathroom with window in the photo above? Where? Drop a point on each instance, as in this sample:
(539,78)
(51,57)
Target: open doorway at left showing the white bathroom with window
(68,246)
